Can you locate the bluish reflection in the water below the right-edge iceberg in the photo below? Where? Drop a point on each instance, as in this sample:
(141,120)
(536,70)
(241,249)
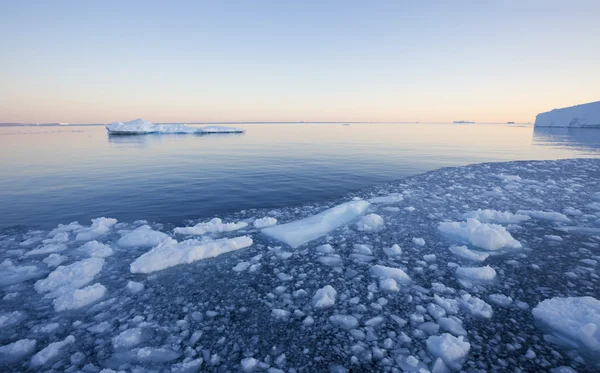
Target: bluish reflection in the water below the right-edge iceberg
(578,138)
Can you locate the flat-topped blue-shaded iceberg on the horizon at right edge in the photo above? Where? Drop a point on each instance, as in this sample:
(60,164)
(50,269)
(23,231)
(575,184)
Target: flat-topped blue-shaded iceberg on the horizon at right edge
(584,115)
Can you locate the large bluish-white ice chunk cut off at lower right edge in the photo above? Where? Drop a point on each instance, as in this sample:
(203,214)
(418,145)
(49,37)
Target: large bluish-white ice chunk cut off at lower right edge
(572,320)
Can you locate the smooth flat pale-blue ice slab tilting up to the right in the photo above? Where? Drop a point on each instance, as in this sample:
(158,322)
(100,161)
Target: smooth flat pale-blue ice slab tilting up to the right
(302,231)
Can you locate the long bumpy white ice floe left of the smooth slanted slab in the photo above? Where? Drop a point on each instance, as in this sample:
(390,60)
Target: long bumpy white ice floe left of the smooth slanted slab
(170,253)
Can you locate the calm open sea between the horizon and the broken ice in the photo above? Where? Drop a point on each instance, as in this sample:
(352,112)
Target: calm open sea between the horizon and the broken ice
(52,175)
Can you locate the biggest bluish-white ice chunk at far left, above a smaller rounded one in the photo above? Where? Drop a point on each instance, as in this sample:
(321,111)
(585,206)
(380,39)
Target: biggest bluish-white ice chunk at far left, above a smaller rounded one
(67,278)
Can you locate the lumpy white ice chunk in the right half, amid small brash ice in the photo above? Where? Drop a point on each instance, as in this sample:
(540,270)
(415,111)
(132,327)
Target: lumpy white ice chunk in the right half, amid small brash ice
(485,236)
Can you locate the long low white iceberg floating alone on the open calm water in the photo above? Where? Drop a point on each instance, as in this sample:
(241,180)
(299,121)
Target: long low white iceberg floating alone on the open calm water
(141,127)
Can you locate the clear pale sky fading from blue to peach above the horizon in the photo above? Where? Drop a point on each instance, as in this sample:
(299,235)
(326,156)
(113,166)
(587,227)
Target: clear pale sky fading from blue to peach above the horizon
(200,61)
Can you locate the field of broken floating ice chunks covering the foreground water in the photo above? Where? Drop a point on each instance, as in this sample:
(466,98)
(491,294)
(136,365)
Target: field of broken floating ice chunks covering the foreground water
(484,268)
